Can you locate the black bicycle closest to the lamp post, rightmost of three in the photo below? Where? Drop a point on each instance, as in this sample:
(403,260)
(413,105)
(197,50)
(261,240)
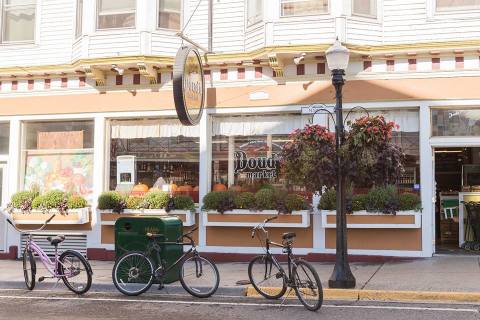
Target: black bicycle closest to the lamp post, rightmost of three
(271,280)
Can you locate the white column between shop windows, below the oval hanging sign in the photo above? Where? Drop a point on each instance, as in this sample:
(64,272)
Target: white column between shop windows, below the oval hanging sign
(205,168)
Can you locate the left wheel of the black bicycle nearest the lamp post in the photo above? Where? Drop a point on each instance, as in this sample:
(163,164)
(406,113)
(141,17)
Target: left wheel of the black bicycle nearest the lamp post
(268,263)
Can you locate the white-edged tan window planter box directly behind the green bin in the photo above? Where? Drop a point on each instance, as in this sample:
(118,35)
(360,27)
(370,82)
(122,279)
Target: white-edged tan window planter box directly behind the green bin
(109,217)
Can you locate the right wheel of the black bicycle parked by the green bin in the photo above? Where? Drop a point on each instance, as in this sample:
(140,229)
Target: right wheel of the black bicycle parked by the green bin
(199,276)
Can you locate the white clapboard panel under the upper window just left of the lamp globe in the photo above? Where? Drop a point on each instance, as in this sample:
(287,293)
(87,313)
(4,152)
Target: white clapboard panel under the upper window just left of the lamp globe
(305,30)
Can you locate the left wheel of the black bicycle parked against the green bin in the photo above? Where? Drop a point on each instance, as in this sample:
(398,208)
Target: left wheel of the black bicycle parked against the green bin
(132,273)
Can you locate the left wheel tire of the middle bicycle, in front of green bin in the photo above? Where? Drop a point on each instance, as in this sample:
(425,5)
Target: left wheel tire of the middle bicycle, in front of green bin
(122,262)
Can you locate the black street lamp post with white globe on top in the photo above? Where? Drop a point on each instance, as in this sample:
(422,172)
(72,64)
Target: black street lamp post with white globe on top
(342,277)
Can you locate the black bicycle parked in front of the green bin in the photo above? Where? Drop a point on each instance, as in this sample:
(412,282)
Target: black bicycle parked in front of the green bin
(134,272)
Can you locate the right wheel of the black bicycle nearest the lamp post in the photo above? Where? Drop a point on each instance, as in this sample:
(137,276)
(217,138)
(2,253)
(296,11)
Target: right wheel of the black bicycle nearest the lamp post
(307,285)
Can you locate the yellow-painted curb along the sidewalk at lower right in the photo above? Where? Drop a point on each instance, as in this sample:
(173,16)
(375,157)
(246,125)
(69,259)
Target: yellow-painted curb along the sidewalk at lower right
(387,295)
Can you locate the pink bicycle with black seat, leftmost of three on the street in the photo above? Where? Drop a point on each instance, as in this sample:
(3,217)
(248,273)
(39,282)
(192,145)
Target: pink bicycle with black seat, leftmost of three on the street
(70,266)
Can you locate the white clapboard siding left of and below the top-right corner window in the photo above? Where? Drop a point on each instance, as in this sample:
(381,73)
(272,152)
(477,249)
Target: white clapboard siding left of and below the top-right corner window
(410,21)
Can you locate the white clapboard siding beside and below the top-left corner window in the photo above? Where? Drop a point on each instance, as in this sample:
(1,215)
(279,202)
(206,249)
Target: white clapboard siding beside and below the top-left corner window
(54,41)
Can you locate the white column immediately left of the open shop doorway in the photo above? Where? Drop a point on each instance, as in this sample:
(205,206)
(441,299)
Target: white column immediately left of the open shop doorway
(427,183)
